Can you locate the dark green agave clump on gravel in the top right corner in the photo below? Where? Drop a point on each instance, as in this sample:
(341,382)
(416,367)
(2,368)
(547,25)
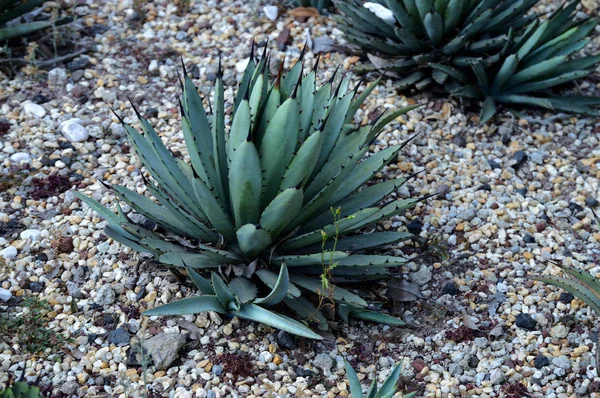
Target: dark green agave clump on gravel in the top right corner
(494,51)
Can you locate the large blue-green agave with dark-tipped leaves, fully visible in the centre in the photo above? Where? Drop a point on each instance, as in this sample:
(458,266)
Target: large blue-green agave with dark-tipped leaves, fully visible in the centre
(252,207)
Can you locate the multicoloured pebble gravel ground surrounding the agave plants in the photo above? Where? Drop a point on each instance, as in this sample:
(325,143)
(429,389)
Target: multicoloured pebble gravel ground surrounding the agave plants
(516,195)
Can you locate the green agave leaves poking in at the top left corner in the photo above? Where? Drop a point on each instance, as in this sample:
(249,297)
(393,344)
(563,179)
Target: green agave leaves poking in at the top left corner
(11,12)
